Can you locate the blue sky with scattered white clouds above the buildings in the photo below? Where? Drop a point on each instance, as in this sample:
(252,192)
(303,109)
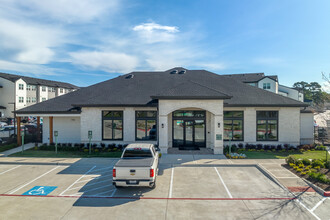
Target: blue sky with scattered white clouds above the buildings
(88,41)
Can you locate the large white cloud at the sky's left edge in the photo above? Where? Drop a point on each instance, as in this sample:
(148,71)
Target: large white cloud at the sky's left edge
(28,43)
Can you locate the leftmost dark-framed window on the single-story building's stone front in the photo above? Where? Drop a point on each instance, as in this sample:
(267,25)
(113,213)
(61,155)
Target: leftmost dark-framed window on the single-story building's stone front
(112,122)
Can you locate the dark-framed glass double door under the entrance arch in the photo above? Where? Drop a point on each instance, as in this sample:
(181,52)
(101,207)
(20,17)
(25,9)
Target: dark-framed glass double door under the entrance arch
(189,133)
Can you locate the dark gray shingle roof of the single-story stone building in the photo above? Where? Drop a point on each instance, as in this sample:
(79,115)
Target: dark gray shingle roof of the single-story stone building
(145,87)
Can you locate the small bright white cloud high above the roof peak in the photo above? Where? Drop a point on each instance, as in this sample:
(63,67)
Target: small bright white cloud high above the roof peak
(155,33)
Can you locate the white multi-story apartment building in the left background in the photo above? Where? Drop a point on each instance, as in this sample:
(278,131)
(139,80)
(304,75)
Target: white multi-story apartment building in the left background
(23,91)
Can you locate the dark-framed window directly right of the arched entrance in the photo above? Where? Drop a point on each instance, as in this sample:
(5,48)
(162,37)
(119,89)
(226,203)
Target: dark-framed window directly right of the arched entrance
(233,125)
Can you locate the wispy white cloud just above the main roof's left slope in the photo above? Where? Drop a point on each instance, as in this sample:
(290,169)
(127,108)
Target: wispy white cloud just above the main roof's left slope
(106,61)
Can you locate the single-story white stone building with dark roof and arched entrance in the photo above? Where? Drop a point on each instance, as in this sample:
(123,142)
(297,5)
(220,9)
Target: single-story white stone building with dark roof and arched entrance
(177,108)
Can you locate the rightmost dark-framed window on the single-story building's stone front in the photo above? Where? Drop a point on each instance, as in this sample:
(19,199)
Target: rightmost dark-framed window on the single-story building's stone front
(267,125)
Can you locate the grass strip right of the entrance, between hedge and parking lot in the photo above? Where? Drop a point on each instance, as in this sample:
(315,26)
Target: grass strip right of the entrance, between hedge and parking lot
(283,155)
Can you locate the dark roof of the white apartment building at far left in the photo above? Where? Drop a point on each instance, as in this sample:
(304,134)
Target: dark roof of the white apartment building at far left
(36,81)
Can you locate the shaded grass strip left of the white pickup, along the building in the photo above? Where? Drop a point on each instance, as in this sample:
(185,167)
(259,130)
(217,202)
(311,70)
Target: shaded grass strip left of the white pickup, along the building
(64,154)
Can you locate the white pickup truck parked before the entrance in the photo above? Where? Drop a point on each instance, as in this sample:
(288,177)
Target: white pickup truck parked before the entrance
(138,166)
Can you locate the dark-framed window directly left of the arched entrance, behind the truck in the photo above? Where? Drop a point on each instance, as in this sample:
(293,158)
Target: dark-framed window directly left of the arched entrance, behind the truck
(146,125)
